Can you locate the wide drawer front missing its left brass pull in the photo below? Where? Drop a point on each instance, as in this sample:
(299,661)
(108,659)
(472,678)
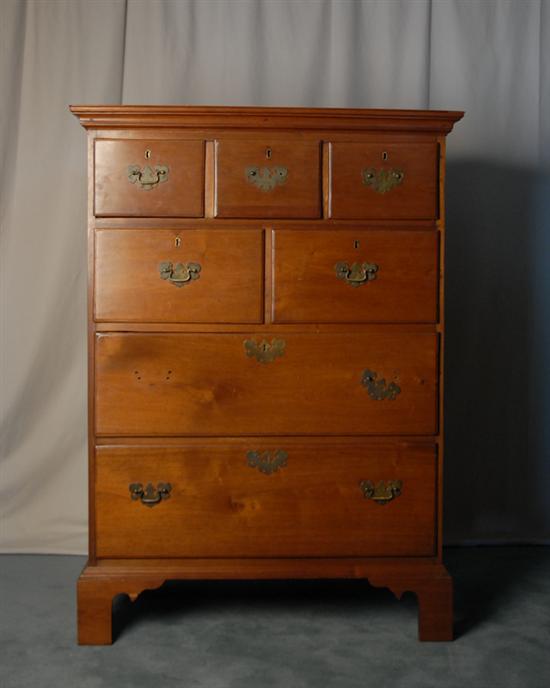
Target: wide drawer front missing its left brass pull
(255,384)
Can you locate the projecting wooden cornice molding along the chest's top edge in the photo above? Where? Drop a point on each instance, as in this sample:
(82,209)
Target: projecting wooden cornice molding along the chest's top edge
(207,117)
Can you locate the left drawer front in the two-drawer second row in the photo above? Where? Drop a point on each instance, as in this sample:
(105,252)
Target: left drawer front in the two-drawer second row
(179,276)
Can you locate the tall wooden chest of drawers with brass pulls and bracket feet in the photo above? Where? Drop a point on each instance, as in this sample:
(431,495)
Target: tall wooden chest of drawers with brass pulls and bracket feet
(265,347)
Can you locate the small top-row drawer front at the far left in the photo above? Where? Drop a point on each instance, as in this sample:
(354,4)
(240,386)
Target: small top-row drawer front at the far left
(149,178)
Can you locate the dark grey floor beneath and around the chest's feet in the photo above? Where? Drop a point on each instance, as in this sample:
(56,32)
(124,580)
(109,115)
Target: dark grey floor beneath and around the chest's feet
(284,634)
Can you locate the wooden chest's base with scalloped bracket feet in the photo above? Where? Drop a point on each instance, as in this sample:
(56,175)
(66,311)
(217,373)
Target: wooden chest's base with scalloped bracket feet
(99,584)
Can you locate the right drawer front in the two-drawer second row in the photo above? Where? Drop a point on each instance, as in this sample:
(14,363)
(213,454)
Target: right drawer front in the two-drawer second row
(355,276)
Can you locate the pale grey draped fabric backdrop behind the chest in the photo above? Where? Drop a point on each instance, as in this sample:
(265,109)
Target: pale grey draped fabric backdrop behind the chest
(488,57)
